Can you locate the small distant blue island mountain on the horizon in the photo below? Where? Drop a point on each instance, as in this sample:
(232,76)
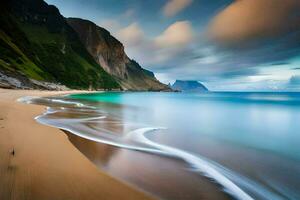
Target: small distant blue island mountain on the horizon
(189,86)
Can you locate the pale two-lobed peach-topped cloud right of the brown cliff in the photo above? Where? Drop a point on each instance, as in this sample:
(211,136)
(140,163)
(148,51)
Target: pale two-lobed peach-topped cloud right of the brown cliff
(163,49)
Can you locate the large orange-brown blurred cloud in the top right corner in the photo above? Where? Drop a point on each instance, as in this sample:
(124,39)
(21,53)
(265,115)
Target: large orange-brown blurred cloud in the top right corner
(249,20)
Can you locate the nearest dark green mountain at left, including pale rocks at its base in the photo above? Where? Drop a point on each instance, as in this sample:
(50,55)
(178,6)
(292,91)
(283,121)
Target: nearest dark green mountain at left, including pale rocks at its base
(39,49)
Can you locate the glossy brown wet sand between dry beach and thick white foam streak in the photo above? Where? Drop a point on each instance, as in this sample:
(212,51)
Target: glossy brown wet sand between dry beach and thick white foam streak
(168,178)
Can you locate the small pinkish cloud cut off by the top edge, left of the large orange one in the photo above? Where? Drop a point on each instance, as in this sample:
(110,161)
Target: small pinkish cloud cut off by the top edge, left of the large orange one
(175,6)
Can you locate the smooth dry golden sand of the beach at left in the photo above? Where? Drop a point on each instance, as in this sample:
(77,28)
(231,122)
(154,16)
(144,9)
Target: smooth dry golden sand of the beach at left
(39,162)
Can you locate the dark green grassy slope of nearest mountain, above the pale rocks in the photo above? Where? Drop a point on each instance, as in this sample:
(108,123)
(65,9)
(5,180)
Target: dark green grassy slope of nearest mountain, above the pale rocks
(48,51)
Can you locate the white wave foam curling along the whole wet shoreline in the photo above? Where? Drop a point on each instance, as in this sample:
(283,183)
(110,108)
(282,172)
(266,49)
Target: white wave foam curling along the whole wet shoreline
(236,185)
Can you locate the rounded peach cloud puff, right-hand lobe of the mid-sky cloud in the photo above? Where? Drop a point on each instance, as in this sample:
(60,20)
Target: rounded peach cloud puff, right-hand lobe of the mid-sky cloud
(176,35)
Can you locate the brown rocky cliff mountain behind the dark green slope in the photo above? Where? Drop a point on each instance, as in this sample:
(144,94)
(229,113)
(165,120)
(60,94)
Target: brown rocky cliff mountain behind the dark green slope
(109,53)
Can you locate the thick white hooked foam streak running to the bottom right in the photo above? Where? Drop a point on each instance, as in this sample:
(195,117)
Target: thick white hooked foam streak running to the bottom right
(210,169)
